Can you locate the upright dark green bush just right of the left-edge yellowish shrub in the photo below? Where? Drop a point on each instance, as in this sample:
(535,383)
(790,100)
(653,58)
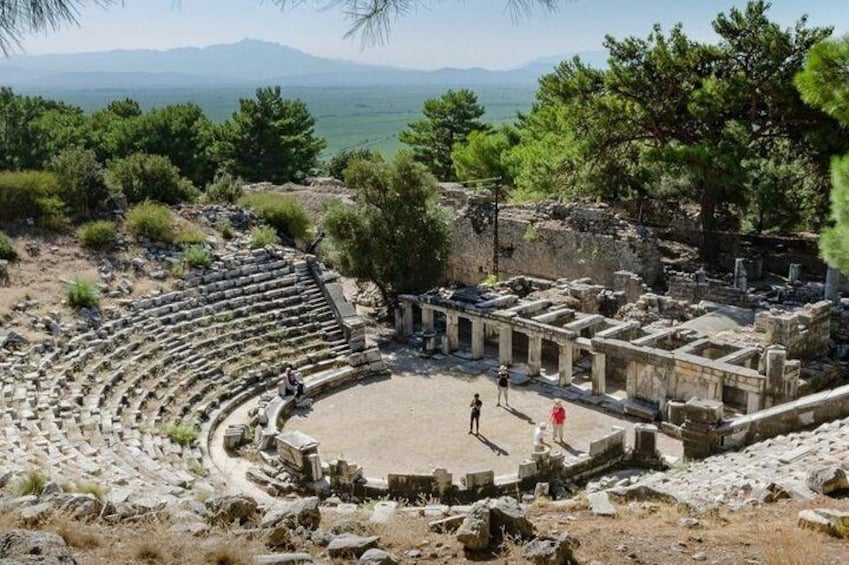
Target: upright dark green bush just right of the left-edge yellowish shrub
(81,179)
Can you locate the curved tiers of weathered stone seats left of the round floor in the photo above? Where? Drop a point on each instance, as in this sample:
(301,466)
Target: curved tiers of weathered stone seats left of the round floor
(95,407)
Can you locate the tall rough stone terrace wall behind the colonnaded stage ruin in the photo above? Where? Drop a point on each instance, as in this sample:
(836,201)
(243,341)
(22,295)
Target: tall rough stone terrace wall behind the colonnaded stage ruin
(551,241)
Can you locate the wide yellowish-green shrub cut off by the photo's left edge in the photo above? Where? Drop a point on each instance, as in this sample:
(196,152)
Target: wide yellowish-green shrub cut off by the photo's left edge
(31,194)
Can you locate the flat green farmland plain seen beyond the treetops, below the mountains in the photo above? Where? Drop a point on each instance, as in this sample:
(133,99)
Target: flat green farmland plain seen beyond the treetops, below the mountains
(346,116)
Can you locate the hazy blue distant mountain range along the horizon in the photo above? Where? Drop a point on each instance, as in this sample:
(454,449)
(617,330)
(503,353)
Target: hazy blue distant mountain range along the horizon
(248,62)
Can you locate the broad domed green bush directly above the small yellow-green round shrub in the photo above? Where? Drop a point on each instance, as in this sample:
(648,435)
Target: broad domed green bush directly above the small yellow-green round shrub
(151,177)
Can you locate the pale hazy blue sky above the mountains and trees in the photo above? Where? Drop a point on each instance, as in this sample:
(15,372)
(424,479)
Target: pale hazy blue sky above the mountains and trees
(457,33)
